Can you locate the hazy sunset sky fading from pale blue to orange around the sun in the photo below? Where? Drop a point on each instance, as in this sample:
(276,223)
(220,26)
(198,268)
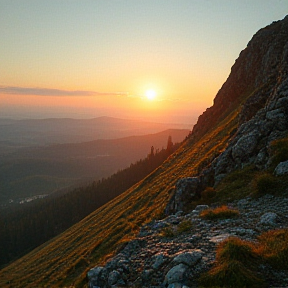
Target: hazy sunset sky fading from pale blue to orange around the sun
(89,58)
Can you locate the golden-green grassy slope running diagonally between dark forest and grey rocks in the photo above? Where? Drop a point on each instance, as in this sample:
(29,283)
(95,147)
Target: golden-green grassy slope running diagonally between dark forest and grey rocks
(65,260)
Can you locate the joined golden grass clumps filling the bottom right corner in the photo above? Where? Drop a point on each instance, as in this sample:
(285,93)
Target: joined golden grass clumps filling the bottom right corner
(237,261)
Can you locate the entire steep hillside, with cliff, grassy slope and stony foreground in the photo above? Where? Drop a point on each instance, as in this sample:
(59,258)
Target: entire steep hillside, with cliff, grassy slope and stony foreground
(232,144)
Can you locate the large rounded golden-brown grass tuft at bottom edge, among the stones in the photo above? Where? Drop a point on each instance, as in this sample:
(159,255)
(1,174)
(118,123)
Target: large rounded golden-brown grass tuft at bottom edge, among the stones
(236,264)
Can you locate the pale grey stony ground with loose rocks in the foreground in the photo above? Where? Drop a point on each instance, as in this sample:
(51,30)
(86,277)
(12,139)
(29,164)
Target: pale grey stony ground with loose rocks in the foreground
(154,260)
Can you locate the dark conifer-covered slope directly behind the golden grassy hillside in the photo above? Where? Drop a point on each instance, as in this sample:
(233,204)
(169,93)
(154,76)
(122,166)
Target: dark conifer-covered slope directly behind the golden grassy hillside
(25,227)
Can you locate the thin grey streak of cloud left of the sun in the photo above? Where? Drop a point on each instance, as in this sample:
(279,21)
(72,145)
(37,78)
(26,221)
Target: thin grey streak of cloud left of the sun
(54,92)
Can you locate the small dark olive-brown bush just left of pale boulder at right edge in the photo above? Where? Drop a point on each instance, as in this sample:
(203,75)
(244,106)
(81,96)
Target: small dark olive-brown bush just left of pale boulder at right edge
(265,184)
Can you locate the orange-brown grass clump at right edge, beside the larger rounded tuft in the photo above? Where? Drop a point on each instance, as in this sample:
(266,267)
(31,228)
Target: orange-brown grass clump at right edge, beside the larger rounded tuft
(273,247)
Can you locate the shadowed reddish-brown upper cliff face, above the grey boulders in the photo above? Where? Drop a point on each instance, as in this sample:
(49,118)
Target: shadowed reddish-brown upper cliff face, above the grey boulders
(254,78)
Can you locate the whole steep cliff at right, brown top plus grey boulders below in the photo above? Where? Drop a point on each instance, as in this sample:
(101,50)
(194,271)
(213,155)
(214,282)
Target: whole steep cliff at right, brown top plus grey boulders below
(258,84)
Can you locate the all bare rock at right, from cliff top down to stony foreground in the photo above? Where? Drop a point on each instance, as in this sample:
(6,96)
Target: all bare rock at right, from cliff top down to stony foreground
(176,250)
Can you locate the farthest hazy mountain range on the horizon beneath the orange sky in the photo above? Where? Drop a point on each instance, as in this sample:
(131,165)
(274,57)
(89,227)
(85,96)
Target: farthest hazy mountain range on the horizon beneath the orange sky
(35,132)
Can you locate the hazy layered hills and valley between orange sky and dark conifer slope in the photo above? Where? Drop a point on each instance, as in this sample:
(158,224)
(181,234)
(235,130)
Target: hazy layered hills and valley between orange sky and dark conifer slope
(30,171)
